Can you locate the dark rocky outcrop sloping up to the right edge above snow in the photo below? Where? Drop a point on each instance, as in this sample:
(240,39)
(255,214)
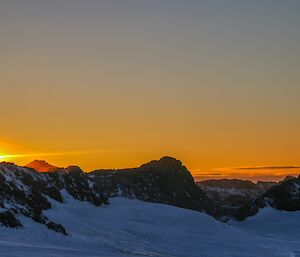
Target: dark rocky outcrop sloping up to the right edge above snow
(284,196)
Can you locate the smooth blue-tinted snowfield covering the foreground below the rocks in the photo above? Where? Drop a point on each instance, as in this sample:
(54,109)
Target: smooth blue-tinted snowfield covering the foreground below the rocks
(134,228)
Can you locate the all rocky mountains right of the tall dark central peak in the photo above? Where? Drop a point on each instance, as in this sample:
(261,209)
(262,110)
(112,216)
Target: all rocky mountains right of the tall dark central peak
(239,199)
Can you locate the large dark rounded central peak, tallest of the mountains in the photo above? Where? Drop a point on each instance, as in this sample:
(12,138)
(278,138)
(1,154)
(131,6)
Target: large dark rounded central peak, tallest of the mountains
(164,181)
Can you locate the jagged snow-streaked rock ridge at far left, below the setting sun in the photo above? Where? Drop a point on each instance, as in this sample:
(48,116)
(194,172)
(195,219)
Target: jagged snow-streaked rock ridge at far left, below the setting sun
(27,192)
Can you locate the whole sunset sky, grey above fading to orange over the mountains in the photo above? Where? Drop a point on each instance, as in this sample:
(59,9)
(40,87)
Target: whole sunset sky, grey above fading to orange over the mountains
(116,83)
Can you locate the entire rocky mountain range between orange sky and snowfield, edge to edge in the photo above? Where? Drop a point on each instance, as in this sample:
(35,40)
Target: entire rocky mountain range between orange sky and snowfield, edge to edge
(28,190)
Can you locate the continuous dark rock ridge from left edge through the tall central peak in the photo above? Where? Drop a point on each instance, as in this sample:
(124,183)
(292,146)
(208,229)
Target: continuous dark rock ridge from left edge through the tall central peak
(25,191)
